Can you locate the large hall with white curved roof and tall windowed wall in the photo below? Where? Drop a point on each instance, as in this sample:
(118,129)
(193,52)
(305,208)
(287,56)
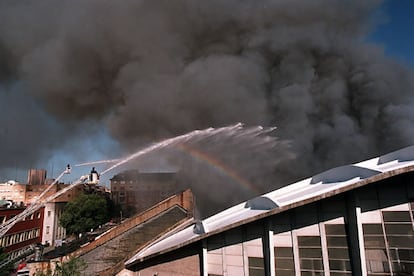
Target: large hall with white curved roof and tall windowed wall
(351,220)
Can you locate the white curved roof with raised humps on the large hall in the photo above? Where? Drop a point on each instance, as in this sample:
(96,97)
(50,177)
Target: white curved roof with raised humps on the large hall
(344,178)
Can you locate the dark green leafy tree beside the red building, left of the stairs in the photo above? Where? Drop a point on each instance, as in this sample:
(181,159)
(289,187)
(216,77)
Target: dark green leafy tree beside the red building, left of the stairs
(85,212)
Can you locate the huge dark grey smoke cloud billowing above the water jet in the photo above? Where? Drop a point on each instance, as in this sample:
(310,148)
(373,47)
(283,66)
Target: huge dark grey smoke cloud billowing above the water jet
(153,69)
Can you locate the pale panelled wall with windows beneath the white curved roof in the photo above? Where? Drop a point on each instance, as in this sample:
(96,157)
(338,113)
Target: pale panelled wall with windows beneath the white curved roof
(317,239)
